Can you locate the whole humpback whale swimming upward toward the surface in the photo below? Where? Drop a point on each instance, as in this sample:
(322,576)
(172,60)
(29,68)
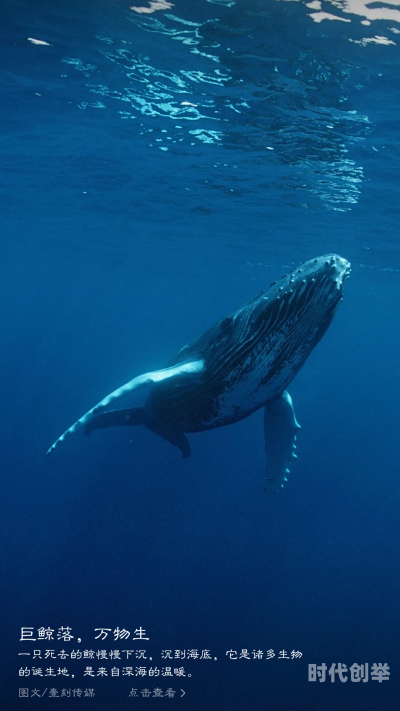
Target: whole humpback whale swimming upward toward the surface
(244,362)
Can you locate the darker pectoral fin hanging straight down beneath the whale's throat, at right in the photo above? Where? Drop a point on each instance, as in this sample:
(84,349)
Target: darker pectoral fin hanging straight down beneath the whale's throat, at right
(280,429)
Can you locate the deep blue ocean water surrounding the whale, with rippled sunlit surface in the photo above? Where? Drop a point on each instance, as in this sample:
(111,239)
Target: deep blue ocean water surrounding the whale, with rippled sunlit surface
(160,166)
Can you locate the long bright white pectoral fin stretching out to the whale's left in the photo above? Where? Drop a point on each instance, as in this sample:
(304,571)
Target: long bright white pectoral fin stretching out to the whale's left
(146,379)
